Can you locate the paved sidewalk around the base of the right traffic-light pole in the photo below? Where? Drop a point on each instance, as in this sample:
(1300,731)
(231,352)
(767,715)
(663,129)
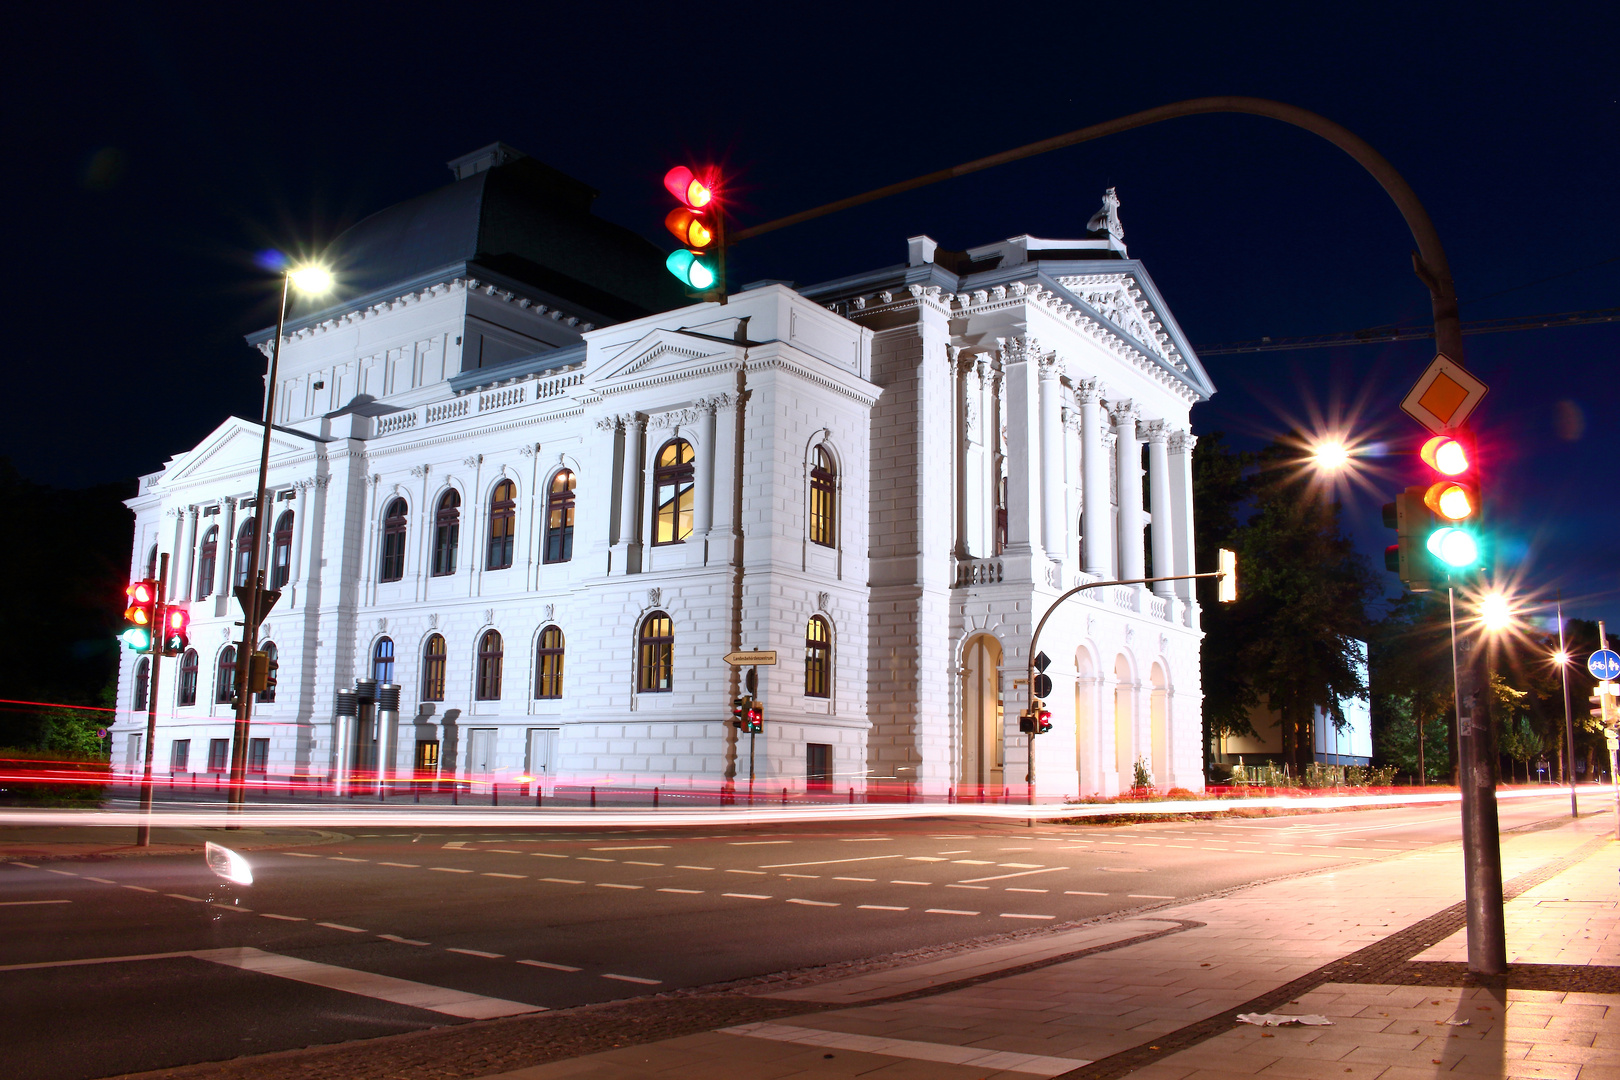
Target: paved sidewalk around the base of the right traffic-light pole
(1154,995)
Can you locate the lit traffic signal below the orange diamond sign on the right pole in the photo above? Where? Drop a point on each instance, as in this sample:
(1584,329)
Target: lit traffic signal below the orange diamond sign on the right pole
(1436,525)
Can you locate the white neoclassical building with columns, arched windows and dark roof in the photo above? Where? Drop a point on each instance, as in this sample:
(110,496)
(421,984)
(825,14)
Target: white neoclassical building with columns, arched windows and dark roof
(521,480)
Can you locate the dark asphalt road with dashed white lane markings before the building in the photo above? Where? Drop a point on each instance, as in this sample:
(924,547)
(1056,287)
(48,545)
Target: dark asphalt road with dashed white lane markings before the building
(124,966)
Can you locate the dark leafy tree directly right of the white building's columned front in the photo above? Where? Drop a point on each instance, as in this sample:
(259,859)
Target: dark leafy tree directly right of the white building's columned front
(1294,637)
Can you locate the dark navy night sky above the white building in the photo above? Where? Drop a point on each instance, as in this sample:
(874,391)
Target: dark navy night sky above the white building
(153,155)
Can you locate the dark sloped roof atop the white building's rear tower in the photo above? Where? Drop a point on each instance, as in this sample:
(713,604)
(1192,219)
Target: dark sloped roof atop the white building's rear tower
(519,219)
